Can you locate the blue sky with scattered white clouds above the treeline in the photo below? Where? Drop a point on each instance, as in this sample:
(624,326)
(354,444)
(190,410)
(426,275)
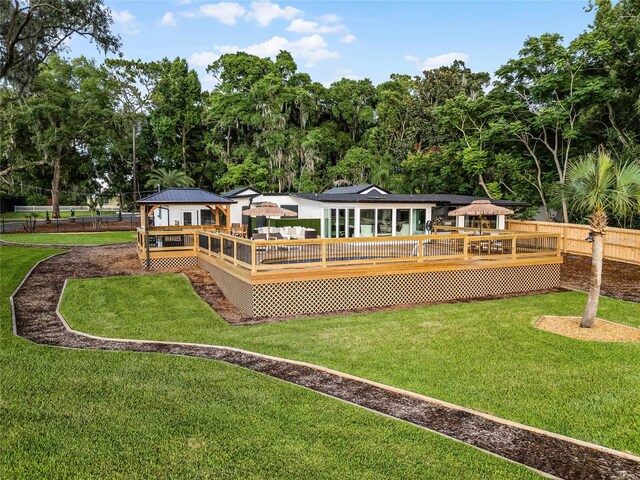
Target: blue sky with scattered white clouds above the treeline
(335,39)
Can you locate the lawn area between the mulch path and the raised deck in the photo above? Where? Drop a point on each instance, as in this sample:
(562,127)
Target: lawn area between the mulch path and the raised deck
(483,355)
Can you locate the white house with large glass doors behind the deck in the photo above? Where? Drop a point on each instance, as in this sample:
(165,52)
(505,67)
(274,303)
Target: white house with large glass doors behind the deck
(367,210)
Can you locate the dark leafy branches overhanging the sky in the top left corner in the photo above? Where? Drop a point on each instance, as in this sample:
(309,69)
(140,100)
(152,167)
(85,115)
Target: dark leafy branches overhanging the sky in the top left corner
(32,30)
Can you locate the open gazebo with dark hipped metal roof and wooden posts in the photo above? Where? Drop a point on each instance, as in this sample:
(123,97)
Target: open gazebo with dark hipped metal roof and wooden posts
(183,207)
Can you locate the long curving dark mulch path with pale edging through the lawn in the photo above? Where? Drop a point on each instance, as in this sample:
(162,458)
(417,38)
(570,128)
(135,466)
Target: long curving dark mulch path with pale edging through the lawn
(36,320)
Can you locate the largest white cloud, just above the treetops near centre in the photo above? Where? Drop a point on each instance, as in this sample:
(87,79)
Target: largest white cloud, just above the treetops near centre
(311,49)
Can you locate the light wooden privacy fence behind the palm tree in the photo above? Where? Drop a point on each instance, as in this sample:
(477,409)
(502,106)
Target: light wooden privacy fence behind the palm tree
(620,244)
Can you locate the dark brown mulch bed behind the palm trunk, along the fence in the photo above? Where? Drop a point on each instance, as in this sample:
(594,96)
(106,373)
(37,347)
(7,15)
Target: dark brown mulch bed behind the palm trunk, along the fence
(619,279)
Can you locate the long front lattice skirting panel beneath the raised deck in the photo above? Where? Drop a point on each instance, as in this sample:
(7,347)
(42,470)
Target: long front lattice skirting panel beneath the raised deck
(316,296)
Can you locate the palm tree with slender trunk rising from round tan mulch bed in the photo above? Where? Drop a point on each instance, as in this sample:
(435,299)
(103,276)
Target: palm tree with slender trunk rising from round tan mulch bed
(596,185)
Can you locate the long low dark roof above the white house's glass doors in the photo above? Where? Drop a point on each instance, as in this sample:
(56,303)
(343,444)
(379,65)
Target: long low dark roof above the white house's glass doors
(438,199)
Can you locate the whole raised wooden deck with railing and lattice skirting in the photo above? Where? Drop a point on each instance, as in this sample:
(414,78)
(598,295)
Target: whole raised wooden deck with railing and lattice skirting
(263,283)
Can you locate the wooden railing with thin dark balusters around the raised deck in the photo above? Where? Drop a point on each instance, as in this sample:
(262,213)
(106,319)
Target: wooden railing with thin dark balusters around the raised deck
(266,255)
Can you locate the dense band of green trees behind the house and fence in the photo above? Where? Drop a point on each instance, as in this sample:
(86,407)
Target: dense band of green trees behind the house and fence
(268,125)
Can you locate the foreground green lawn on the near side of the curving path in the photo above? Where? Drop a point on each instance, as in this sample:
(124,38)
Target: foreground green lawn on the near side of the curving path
(90,414)
